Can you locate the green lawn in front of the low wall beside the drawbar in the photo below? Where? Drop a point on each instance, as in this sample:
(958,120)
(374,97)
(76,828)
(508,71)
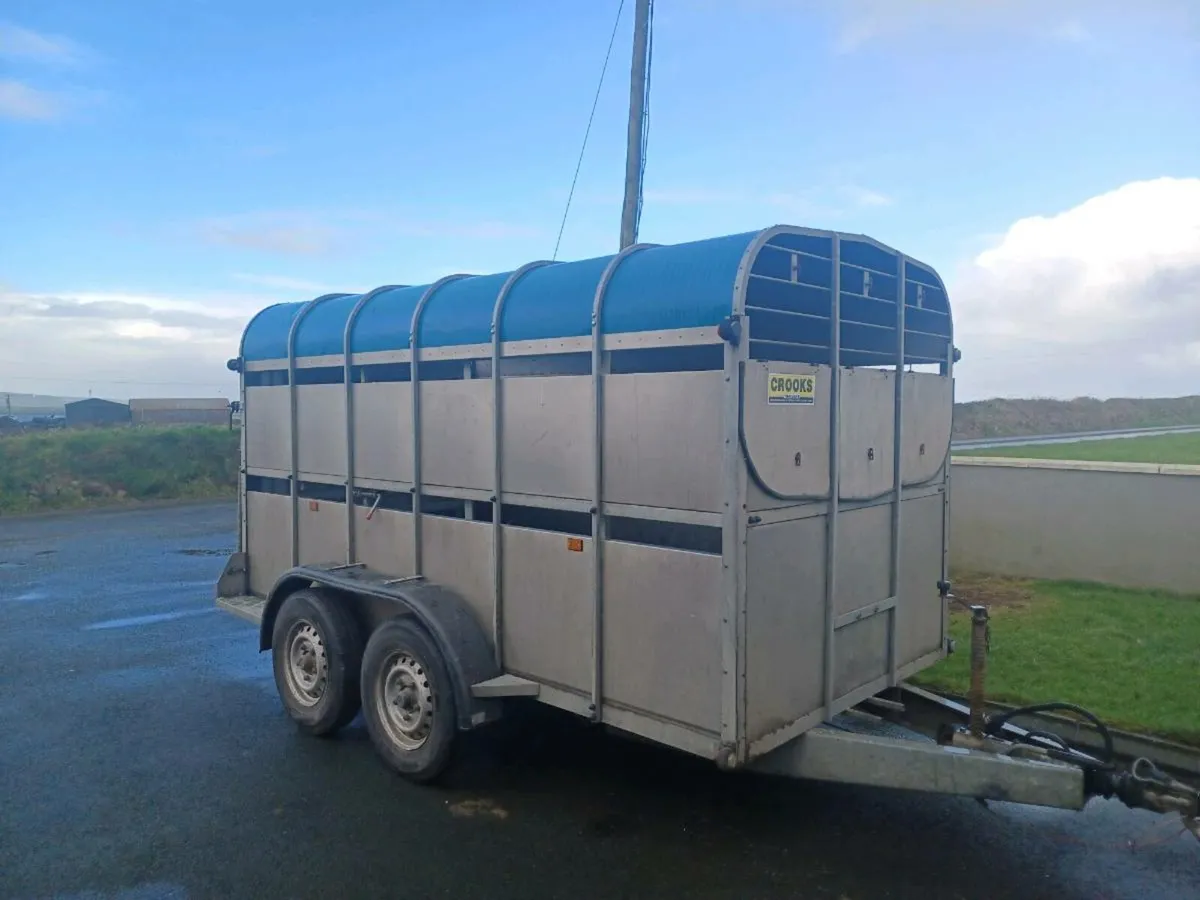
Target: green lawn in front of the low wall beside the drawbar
(1133,658)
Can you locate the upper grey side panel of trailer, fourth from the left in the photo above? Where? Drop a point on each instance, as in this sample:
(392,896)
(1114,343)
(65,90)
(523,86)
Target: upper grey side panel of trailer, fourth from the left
(457,434)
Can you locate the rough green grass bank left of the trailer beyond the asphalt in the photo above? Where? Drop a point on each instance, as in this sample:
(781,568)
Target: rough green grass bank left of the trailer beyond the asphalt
(68,470)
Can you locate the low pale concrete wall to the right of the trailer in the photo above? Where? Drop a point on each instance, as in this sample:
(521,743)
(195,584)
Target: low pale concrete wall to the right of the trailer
(1124,524)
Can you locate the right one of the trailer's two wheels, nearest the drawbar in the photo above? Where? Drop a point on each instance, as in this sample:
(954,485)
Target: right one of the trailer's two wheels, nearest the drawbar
(409,700)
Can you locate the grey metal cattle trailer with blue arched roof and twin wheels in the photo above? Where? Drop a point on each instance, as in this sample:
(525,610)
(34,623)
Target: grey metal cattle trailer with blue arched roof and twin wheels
(694,493)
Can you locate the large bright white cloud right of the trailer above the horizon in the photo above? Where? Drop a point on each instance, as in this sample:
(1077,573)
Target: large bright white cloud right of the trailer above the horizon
(1102,299)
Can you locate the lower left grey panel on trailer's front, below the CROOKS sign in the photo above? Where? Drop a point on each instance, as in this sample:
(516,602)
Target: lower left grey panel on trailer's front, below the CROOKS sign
(785,622)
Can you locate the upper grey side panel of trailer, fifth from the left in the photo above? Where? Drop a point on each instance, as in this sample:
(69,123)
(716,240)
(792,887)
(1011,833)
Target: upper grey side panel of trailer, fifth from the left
(549,436)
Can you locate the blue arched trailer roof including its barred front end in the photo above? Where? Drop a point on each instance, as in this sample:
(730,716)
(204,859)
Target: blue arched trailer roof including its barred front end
(657,289)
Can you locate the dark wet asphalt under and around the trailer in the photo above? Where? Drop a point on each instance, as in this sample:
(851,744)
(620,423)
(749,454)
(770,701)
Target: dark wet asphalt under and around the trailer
(145,754)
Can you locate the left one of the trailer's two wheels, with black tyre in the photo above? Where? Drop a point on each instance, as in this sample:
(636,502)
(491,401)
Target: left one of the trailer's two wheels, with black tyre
(317,655)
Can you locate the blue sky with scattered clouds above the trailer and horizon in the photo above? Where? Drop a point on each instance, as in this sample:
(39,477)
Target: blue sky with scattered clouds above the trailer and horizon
(167,170)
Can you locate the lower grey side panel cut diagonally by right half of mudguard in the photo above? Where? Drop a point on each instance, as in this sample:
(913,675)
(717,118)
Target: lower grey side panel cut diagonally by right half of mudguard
(458,554)
